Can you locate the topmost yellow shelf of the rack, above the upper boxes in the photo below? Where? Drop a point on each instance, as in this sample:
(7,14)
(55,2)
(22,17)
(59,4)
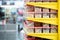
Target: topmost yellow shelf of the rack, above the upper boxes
(51,5)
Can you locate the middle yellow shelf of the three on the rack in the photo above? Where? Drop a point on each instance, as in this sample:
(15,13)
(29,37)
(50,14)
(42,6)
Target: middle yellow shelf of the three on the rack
(45,20)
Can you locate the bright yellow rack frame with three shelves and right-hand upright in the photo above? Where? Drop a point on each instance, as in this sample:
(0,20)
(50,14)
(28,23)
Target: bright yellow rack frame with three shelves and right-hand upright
(53,21)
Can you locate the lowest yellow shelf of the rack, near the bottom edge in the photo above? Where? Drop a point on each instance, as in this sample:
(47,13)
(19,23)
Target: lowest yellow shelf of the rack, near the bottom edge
(44,35)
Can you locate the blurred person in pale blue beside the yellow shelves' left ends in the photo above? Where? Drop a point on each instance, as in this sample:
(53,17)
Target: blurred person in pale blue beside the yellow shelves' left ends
(20,26)
